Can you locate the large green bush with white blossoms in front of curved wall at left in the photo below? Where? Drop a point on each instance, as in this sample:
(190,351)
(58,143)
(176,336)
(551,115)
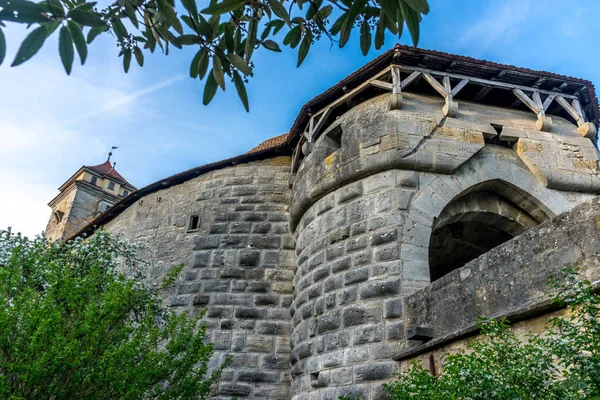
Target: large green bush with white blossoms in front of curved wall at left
(77,322)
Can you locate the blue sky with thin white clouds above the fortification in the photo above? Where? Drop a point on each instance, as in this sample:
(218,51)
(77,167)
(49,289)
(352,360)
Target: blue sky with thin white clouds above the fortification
(51,124)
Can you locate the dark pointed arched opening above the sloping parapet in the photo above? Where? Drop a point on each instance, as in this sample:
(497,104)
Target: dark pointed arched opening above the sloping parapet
(478,220)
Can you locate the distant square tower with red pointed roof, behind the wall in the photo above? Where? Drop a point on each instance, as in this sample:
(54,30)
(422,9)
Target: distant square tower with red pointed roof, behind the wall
(91,191)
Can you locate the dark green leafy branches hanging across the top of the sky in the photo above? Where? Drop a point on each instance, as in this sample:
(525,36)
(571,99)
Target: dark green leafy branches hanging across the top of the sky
(226,33)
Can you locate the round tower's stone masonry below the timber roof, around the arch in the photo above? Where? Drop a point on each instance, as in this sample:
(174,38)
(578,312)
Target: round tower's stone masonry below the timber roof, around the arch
(364,204)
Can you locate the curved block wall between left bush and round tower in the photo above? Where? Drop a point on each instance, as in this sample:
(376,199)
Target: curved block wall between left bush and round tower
(238,264)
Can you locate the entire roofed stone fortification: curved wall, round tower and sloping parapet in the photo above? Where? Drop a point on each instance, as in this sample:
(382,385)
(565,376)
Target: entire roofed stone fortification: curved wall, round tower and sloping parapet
(418,193)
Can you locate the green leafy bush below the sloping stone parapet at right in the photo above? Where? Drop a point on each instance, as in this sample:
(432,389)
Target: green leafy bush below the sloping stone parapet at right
(563,363)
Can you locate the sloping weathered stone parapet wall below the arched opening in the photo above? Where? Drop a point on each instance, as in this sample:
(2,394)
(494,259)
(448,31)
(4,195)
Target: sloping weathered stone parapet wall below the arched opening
(510,280)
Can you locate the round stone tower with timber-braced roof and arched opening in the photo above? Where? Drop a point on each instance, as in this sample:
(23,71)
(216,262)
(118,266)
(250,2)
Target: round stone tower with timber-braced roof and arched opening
(394,191)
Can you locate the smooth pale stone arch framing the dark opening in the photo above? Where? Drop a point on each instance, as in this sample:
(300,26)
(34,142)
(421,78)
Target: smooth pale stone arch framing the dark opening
(444,199)
